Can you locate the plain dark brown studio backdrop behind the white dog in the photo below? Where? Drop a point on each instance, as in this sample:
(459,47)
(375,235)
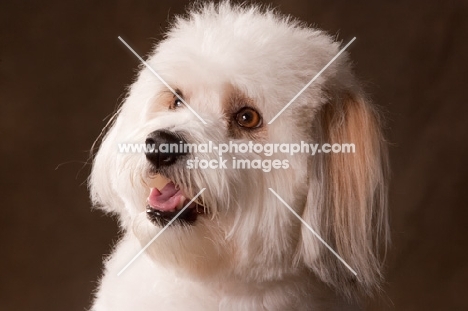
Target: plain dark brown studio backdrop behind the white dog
(62,71)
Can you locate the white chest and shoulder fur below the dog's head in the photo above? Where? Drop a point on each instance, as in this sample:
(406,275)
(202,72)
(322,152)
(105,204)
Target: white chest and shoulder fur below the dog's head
(147,287)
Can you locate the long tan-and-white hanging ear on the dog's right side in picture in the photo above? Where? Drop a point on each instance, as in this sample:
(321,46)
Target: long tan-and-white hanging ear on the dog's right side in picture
(347,196)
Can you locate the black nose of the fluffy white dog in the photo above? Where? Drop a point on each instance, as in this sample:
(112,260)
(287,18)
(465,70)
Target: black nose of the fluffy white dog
(164,148)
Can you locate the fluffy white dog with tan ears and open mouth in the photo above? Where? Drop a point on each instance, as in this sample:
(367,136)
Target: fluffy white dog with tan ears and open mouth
(238,246)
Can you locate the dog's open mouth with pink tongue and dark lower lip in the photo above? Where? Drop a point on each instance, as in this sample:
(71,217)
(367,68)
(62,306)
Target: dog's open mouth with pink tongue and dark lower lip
(167,201)
